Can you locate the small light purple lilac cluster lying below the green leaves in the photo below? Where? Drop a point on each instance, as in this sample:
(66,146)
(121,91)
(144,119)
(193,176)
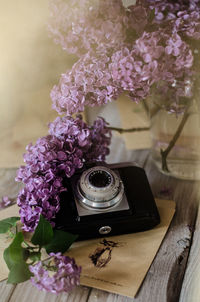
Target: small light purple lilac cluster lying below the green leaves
(65,277)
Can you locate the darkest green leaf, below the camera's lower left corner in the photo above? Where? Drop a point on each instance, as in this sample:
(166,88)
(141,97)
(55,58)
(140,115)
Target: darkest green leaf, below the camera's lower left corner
(61,242)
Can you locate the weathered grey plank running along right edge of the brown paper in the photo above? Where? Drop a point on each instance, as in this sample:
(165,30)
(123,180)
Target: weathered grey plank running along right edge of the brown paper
(164,279)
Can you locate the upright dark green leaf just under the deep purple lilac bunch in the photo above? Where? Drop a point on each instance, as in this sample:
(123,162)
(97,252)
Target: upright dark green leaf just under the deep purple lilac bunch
(43,233)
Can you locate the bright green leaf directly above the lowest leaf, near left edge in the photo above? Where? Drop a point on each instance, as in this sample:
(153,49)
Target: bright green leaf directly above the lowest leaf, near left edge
(15,252)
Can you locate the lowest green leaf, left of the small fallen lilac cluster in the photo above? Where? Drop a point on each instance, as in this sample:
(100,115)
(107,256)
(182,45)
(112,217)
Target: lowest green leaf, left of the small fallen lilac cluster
(19,273)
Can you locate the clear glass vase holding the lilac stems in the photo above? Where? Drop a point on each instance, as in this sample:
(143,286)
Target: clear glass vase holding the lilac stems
(178,137)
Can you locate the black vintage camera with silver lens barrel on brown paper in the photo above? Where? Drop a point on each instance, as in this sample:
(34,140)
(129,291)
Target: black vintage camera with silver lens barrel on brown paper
(107,200)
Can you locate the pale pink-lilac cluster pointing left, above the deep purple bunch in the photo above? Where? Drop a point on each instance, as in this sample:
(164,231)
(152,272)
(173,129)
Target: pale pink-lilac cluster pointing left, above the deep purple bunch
(89,82)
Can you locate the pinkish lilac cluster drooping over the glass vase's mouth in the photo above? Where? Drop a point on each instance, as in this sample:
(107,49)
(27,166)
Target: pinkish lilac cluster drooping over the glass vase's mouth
(173,77)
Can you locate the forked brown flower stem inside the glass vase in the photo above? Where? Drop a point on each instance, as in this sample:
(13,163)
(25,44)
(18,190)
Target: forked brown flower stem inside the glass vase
(164,153)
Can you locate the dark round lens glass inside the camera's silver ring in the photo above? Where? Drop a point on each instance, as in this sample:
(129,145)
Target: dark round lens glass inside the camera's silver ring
(100,179)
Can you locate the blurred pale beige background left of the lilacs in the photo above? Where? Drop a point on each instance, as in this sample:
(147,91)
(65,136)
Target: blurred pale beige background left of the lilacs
(30,64)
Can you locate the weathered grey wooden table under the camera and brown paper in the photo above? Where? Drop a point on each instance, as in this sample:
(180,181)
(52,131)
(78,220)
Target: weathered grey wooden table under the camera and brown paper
(175,272)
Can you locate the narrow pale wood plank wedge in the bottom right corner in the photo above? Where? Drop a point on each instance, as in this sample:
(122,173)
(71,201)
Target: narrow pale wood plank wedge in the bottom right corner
(191,284)
